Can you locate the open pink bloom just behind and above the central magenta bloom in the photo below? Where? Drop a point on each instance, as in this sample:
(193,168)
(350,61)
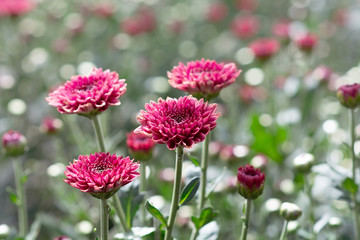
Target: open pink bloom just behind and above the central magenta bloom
(204,78)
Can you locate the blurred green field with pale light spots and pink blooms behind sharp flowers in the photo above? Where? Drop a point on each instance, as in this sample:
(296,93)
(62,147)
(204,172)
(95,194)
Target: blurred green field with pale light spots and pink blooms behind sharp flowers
(277,108)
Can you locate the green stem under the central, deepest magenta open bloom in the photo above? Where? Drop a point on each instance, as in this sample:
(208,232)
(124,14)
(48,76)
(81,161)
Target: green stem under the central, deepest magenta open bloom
(176,192)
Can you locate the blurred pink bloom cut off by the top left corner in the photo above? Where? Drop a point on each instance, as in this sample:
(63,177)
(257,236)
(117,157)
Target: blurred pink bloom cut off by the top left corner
(15,7)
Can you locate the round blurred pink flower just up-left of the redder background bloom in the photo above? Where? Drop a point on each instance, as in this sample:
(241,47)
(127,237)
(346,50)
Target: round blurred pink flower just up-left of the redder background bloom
(245,26)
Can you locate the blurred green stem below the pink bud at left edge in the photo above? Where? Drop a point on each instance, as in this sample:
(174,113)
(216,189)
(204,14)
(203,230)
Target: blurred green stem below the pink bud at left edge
(21,197)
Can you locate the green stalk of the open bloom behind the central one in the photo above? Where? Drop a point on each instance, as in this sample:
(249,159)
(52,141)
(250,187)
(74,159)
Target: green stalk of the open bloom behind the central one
(203,180)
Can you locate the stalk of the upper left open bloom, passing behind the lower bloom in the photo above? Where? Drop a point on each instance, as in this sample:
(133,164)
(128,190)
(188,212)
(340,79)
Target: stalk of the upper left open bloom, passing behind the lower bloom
(116,201)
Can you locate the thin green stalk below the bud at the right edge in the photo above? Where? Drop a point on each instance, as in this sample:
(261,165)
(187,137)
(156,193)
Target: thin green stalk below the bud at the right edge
(353,157)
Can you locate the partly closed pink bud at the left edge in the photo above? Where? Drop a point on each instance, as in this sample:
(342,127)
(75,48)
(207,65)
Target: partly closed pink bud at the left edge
(14,143)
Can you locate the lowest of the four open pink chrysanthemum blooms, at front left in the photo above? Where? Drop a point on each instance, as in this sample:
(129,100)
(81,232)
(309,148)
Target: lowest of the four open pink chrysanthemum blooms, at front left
(101,174)
